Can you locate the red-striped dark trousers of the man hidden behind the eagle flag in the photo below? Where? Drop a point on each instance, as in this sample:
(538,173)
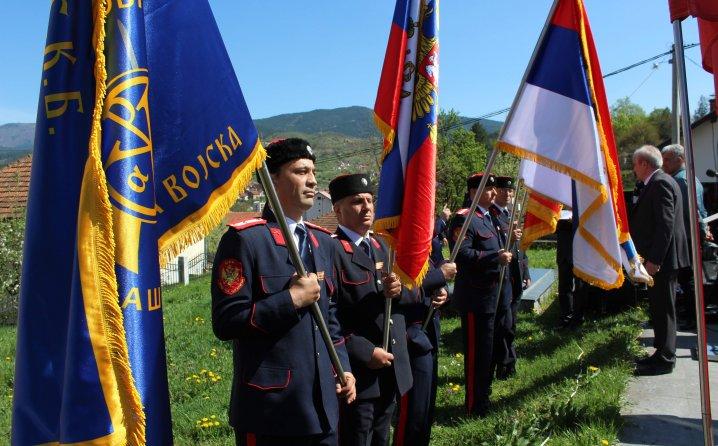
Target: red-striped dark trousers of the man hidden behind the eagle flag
(416,407)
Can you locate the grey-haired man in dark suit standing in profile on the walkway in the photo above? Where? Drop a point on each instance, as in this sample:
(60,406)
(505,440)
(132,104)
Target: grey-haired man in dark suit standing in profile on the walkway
(657,229)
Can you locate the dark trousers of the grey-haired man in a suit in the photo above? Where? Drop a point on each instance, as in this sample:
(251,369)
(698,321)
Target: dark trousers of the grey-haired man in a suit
(662,308)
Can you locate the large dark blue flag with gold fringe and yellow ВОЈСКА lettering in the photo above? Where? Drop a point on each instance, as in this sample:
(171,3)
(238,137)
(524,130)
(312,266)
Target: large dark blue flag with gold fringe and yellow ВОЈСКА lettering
(143,141)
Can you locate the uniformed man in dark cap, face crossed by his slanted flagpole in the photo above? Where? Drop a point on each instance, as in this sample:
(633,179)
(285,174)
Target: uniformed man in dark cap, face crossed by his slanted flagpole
(479,260)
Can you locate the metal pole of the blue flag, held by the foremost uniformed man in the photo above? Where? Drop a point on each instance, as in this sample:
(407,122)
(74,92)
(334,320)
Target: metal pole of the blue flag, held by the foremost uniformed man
(299,266)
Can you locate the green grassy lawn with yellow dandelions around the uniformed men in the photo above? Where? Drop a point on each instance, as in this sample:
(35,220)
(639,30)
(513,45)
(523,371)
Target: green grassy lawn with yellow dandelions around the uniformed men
(592,363)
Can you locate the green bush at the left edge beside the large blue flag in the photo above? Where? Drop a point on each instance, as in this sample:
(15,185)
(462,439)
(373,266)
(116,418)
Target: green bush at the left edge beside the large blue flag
(11,241)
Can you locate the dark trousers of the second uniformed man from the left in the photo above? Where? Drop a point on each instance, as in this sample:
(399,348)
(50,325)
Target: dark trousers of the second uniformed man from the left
(366,422)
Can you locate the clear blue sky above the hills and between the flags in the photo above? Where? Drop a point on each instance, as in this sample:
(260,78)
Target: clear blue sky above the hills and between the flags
(292,56)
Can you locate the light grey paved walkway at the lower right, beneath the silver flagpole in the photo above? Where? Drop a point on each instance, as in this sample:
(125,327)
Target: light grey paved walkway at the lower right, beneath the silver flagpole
(666,409)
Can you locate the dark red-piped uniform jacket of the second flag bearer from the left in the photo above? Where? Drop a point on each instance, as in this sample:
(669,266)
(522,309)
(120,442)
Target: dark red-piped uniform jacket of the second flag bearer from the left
(360,310)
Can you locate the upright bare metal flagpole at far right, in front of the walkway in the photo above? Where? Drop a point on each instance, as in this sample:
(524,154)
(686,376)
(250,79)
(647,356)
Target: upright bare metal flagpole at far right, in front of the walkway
(679,59)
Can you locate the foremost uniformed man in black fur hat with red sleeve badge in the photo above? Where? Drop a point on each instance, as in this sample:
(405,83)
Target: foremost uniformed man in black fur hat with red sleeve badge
(284,389)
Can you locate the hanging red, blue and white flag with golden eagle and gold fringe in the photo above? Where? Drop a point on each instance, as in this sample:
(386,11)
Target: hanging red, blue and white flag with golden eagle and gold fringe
(405,111)
